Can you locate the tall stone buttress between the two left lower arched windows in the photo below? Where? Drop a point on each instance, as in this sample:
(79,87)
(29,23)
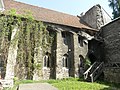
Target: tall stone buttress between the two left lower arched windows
(59,55)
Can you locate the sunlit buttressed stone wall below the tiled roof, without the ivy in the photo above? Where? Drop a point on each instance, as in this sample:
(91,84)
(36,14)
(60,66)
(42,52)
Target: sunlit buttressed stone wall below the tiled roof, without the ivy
(66,44)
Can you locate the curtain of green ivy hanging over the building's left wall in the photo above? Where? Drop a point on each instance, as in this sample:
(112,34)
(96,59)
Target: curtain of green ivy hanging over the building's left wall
(31,34)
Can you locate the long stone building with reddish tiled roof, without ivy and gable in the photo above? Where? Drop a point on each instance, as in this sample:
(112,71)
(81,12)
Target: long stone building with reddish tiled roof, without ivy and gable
(66,56)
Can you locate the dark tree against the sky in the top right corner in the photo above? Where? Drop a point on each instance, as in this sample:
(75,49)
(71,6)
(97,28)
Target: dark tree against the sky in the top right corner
(115,5)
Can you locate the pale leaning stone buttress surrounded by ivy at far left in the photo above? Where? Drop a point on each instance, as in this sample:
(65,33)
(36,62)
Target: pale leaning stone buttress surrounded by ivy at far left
(12,55)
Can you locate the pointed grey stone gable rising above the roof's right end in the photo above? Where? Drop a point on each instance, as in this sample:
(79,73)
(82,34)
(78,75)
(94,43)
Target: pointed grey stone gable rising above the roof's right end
(93,17)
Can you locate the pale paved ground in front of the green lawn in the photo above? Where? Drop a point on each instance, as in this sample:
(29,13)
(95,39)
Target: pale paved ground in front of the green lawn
(37,86)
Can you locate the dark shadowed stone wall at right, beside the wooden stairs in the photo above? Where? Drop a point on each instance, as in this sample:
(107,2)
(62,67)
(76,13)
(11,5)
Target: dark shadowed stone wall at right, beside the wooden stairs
(111,37)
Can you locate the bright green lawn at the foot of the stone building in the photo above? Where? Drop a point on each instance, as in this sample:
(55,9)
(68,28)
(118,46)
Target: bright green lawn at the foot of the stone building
(75,84)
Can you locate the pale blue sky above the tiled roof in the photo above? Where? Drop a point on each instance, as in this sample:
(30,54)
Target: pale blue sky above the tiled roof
(73,7)
